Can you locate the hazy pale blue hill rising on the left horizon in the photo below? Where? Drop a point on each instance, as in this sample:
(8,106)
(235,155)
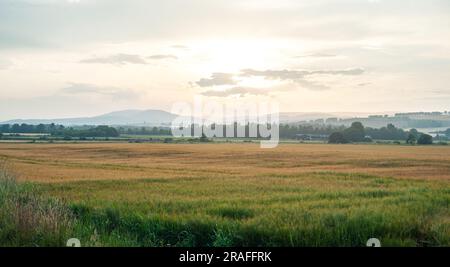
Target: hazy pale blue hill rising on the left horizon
(124,117)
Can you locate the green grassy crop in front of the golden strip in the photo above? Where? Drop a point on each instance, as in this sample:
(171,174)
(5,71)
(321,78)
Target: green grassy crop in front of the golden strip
(315,209)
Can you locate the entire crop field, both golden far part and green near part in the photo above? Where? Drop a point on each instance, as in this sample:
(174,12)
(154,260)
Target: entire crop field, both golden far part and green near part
(241,195)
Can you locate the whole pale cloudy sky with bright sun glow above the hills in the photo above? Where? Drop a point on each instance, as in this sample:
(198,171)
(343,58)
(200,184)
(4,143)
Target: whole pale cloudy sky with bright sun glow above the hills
(72,58)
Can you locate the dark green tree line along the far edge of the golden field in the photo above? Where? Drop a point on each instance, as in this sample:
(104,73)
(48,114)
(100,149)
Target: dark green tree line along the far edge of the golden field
(340,134)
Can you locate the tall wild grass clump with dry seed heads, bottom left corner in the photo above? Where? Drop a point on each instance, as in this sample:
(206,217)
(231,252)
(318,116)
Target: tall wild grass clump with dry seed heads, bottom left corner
(27,219)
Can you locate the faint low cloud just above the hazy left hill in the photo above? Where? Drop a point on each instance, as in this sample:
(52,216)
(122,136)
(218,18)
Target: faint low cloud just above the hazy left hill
(90,89)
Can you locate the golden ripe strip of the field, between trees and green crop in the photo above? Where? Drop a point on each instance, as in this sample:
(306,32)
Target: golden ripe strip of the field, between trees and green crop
(73,162)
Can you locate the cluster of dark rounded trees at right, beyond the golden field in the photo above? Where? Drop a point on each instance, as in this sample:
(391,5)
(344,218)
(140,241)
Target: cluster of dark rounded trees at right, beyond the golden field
(357,133)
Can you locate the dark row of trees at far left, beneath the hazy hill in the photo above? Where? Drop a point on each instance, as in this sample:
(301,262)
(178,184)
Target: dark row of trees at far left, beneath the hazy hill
(60,130)
